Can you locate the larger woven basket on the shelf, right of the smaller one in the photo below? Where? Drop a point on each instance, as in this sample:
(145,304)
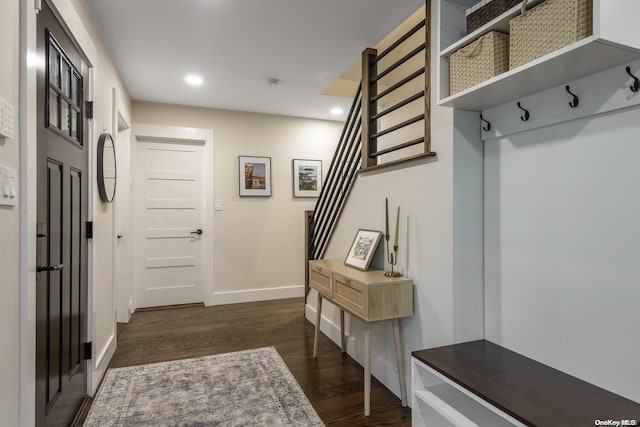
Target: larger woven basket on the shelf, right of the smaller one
(547,27)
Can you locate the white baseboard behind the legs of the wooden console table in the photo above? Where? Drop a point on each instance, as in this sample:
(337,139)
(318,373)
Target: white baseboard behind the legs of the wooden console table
(383,370)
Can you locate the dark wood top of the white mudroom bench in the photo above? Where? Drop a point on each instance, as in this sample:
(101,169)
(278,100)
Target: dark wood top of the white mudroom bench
(529,391)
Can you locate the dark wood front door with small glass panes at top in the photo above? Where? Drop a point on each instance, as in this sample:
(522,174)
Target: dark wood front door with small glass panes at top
(62,279)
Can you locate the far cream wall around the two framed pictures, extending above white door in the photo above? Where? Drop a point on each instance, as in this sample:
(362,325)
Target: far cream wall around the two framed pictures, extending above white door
(258,242)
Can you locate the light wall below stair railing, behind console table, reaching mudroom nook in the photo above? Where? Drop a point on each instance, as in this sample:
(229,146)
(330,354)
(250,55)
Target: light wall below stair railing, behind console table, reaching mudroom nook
(440,241)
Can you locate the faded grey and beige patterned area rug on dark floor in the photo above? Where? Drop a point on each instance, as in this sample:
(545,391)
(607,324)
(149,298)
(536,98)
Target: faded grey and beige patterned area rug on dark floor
(245,388)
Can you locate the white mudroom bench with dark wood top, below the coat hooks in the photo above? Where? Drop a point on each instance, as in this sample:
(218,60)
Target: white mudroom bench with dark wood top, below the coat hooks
(482,384)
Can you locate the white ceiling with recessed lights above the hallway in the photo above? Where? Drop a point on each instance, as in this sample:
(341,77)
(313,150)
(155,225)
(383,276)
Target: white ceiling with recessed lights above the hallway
(236,45)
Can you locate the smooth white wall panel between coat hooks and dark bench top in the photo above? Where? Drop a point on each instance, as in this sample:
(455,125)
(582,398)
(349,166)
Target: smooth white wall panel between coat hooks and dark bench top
(561,260)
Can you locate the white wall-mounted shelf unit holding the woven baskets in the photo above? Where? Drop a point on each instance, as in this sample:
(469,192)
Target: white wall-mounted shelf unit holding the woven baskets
(615,41)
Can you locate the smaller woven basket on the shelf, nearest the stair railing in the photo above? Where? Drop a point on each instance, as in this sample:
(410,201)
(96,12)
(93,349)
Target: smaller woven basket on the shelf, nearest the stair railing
(479,61)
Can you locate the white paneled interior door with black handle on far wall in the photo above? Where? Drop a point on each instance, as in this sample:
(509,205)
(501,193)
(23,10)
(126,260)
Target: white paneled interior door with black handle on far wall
(170,222)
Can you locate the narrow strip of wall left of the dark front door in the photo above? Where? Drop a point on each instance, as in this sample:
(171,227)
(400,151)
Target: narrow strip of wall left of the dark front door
(9,226)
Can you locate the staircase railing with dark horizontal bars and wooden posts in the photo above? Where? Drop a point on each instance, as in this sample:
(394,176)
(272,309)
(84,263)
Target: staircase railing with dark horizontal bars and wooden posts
(360,148)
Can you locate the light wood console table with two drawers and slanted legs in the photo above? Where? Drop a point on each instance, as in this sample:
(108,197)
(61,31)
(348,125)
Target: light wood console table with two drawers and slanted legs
(369,296)
